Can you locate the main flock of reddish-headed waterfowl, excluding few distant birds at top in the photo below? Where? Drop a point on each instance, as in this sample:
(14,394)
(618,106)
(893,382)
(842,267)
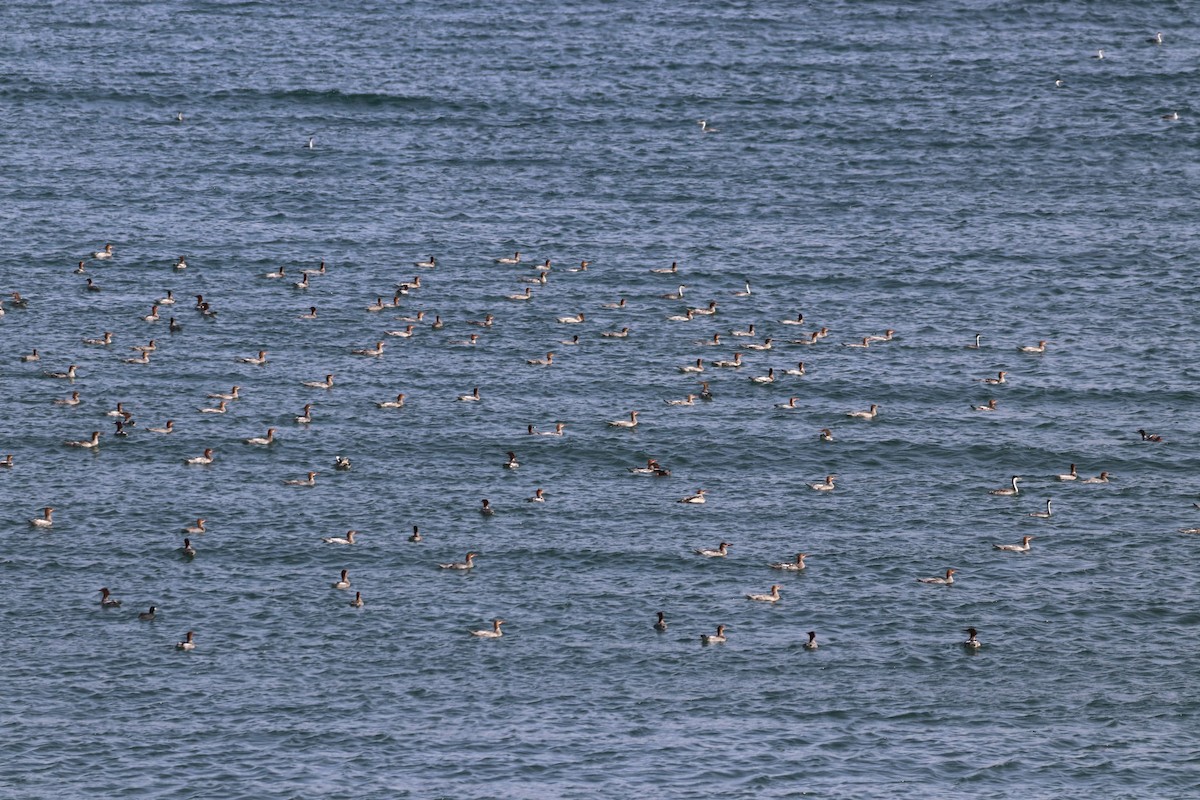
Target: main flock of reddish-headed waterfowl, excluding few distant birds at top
(747,342)
